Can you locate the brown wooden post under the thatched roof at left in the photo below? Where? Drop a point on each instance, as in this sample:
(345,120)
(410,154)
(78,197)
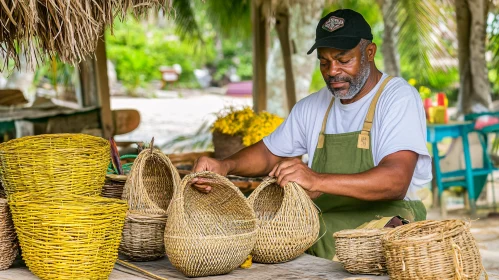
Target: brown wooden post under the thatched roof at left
(103,89)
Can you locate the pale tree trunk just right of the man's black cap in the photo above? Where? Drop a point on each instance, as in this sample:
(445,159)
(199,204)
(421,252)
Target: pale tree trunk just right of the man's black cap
(391,57)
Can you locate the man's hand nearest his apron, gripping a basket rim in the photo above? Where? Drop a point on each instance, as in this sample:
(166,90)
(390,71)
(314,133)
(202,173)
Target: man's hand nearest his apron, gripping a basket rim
(294,170)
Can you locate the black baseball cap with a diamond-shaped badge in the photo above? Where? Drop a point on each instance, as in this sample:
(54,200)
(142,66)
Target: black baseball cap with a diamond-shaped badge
(341,29)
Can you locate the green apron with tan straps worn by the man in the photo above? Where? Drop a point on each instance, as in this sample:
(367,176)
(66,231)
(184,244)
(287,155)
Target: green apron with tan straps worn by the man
(349,153)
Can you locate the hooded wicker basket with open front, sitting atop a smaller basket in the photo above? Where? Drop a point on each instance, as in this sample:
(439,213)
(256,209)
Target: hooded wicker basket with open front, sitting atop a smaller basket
(151,182)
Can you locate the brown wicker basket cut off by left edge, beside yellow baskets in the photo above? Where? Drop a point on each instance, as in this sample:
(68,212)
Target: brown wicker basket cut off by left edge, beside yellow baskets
(8,244)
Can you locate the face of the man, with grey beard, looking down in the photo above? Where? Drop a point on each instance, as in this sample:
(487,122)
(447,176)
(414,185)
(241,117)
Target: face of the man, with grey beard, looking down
(345,72)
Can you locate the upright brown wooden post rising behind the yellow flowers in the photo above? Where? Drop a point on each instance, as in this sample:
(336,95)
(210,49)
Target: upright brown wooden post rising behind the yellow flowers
(260,46)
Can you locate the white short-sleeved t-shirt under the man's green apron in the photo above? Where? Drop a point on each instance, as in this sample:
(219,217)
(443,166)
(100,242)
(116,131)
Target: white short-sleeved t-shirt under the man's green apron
(399,124)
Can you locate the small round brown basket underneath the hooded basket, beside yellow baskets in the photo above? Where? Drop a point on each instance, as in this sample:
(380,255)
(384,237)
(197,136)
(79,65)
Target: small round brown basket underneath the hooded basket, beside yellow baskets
(143,237)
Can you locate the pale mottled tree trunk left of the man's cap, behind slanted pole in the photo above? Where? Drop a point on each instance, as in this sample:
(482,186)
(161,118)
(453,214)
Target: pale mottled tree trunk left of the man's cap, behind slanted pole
(302,23)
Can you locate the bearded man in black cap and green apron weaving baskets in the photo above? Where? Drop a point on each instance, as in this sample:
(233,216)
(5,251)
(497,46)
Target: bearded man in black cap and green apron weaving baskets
(365,134)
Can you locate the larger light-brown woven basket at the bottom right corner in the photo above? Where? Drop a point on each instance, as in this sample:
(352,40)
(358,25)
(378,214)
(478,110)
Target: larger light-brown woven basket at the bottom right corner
(432,250)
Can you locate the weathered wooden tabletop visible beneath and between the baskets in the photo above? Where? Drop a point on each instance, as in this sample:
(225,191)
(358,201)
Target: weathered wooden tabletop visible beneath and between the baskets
(304,267)
